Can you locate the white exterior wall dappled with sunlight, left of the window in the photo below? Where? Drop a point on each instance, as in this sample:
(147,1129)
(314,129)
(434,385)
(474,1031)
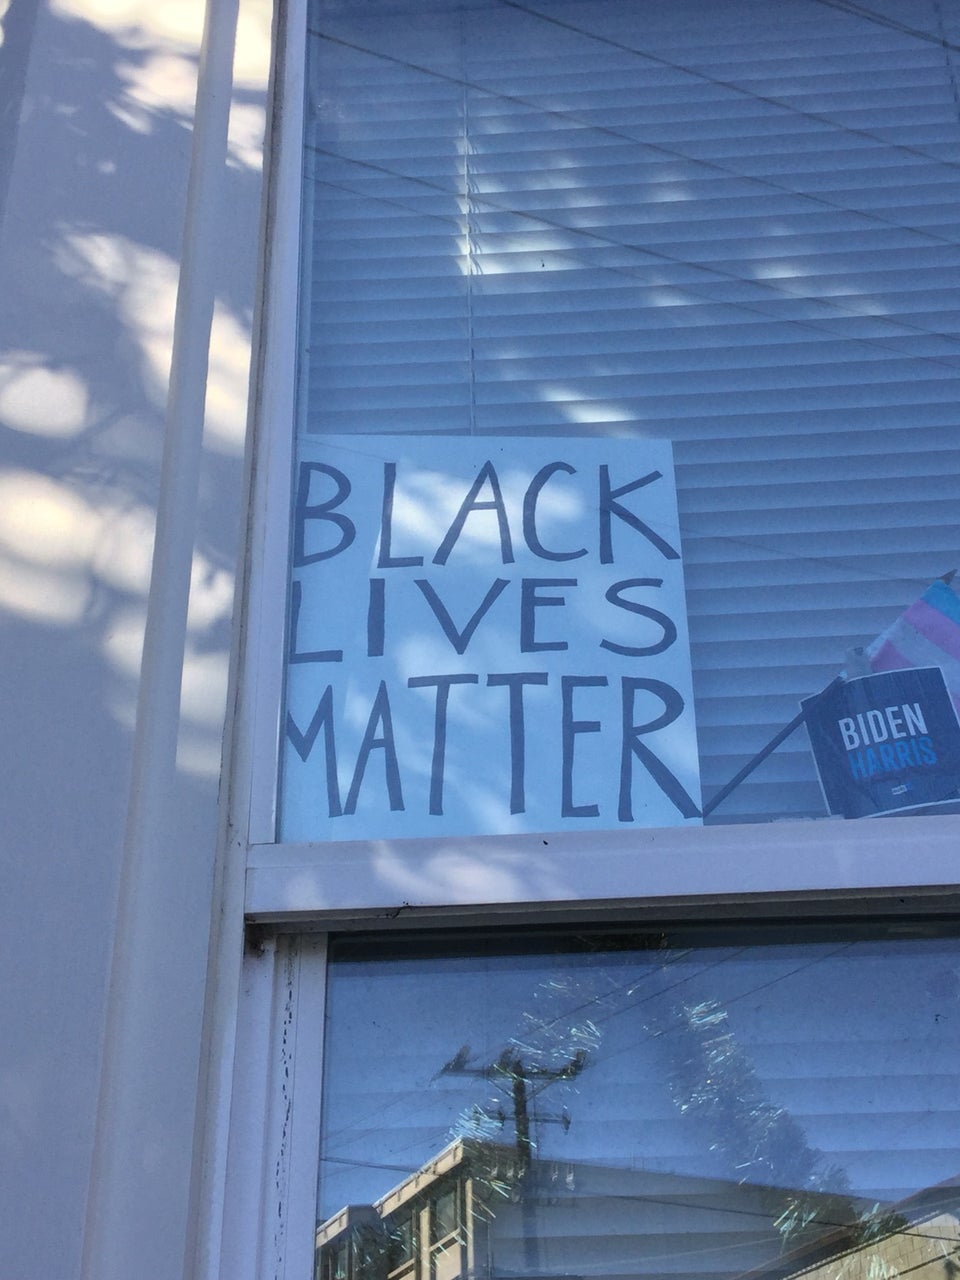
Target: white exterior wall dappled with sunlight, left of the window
(97,111)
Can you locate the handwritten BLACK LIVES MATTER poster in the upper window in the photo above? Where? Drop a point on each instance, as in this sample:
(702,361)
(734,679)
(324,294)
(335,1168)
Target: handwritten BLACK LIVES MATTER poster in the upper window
(486,637)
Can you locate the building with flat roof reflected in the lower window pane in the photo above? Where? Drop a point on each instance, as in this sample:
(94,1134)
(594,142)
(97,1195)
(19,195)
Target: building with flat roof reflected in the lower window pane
(472,1214)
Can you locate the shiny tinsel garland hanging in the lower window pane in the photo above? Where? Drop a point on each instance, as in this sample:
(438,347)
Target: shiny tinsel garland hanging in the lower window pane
(711,1080)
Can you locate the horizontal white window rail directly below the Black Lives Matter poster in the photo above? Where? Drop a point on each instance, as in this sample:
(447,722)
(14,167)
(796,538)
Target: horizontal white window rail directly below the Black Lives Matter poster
(309,881)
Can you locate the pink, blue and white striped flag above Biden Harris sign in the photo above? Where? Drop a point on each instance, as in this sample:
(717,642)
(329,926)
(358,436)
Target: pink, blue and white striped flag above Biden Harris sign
(925,636)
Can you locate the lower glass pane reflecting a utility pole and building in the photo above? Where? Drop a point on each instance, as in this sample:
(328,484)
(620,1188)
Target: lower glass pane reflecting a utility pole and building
(689,1104)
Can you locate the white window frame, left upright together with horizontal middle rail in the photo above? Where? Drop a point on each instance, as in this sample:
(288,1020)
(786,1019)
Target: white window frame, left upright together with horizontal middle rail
(264,1104)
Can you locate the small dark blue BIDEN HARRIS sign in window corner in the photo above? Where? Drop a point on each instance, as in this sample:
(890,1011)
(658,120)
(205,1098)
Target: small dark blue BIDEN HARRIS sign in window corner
(886,743)
